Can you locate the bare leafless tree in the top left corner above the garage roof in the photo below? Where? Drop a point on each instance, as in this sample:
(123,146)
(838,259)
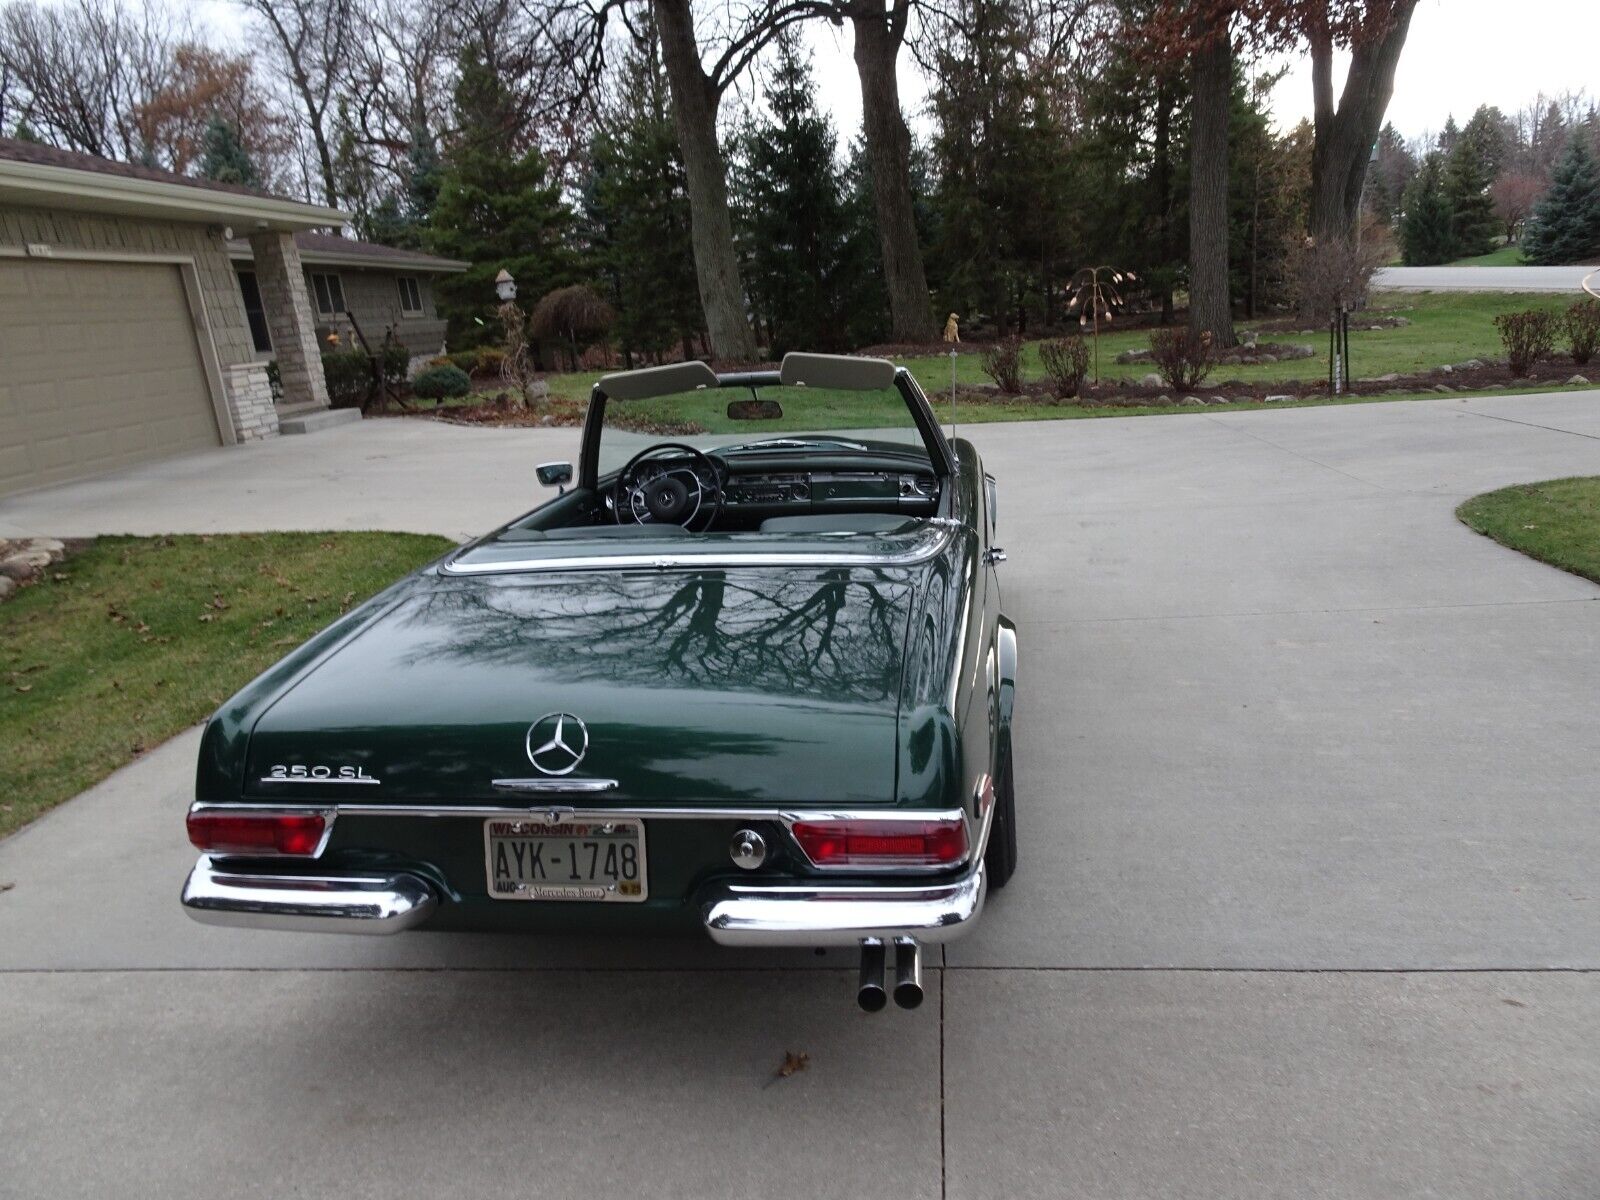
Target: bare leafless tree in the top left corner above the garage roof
(82,71)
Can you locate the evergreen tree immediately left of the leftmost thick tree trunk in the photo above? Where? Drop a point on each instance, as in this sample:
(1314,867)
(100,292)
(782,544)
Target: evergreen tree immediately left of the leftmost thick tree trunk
(638,214)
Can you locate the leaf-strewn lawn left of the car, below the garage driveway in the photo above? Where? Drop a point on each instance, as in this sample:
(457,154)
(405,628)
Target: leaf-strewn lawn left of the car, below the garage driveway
(137,639)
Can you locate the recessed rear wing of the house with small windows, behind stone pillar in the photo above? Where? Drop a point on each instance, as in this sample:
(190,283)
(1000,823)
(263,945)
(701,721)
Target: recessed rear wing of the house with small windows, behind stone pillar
(361,292)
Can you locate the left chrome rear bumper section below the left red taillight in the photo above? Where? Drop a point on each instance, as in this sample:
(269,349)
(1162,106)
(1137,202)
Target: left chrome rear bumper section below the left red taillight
(215,895)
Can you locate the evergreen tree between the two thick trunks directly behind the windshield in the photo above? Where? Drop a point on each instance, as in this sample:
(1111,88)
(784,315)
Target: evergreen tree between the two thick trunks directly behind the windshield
(790,214)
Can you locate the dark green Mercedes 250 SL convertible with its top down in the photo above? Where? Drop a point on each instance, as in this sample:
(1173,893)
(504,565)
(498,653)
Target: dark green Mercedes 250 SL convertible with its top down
(745,676)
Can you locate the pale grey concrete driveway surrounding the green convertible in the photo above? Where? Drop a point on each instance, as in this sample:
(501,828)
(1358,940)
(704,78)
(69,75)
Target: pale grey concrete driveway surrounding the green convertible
(1308,906)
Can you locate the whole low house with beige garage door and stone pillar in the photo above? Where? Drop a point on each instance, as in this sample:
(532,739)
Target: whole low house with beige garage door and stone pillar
(129,330)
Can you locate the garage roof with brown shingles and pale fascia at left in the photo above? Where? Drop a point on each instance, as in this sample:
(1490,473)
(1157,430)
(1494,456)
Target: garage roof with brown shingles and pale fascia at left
(49,177)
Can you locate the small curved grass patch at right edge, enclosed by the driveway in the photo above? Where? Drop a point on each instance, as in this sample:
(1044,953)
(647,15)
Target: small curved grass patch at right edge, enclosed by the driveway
(1556,522)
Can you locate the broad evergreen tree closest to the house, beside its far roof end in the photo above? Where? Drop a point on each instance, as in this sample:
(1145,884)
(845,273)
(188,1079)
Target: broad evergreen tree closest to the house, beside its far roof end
(498,209)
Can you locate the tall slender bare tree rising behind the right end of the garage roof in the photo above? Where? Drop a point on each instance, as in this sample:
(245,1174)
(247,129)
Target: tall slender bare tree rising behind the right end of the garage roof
(314,44)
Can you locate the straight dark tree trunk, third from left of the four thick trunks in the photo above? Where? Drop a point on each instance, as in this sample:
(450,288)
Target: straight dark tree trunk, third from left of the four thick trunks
(1210,308)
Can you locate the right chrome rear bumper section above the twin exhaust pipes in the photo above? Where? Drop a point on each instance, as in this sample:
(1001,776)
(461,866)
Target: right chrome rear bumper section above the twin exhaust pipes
(842,916)
